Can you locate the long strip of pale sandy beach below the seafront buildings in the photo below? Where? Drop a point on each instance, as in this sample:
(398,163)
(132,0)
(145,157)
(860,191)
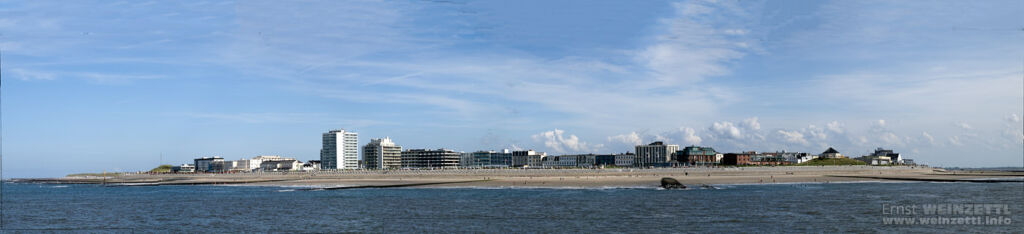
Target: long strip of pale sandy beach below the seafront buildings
(550,178)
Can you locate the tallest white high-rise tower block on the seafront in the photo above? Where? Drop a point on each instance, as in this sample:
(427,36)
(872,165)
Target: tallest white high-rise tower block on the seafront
(340,151)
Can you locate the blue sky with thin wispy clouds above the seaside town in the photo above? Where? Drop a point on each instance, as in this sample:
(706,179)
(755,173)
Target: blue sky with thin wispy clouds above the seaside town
(121,86)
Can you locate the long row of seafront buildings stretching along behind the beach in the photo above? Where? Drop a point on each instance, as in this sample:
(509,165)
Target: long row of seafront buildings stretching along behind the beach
(385,154)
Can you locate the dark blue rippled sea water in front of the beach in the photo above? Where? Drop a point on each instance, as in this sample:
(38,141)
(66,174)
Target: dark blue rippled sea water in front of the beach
(779,208)
